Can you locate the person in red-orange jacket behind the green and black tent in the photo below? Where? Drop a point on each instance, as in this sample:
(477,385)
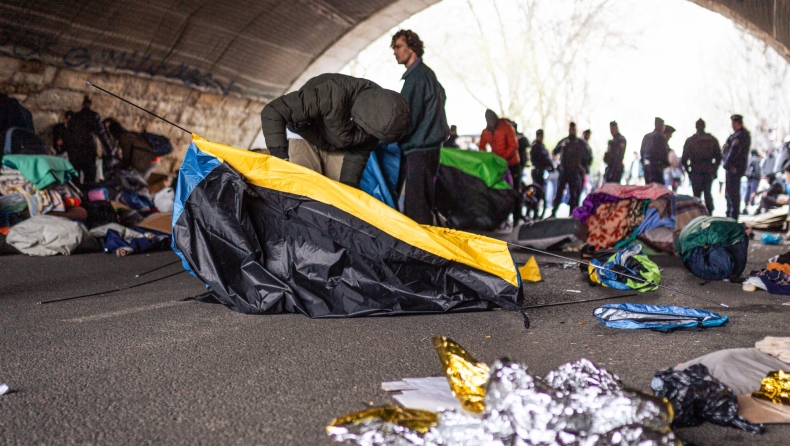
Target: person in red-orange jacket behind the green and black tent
(501,136)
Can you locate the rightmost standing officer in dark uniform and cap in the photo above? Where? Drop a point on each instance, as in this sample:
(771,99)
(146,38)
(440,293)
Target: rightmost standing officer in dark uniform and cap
(736,155)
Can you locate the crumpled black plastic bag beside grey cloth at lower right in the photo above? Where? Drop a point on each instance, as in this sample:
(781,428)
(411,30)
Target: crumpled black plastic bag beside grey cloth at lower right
(698,397)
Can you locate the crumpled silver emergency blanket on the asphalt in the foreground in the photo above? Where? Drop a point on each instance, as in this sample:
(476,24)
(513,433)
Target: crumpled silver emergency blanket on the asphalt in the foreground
(577,404)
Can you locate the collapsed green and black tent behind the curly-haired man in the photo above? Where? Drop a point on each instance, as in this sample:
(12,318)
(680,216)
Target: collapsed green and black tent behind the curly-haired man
(472,191)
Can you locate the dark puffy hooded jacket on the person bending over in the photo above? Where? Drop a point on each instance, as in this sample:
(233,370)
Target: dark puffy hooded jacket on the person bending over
(336,112)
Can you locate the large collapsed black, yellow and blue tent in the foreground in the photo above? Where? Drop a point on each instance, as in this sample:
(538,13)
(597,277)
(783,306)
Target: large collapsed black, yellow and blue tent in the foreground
(268,236)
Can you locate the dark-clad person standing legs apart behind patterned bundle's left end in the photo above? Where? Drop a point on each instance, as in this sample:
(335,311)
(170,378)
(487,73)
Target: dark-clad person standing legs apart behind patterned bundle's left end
(574,162)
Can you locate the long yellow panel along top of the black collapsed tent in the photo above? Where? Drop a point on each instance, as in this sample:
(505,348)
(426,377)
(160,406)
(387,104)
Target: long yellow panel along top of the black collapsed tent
(269,172)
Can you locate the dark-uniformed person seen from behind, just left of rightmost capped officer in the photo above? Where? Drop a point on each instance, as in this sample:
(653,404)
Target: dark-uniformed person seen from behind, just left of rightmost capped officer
(701,159)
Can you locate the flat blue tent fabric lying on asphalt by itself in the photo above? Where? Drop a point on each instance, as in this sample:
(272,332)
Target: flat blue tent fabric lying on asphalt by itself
(629,316)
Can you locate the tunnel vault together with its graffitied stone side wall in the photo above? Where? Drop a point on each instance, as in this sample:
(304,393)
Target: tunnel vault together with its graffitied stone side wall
(210,65)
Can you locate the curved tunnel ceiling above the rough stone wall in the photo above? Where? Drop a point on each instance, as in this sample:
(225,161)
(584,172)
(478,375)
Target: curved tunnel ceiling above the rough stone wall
(248,48)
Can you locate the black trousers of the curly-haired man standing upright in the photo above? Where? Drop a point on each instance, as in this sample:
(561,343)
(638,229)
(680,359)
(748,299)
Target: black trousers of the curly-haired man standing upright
(419,169)
